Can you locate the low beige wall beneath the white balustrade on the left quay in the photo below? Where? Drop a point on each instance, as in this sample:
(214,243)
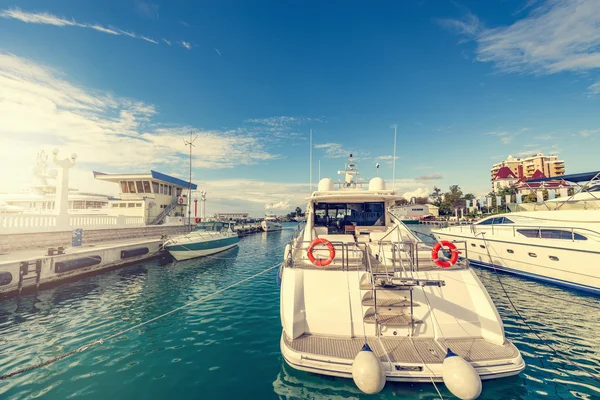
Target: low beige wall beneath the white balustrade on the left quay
(42,240)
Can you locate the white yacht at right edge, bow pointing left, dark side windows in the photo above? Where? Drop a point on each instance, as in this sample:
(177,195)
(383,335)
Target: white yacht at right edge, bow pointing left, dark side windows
(559,244)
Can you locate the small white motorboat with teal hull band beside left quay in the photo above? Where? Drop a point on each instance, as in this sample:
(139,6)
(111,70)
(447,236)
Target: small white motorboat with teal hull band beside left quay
(207,238)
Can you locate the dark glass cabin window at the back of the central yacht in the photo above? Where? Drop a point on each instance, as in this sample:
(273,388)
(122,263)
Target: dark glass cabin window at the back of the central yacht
(335,216)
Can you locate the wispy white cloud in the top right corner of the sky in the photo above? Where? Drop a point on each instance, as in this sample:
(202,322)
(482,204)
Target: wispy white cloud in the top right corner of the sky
(555,36)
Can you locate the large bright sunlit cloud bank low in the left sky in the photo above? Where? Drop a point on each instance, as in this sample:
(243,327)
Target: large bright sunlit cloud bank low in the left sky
(40,110)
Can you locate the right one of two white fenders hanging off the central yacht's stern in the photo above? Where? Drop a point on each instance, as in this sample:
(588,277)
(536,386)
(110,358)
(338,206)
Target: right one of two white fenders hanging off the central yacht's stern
(460,377)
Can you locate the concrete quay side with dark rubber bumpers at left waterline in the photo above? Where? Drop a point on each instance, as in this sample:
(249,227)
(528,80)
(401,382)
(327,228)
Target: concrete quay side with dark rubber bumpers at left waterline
(27,270)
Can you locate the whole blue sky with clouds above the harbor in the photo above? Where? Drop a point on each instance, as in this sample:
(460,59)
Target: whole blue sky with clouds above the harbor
(467,83)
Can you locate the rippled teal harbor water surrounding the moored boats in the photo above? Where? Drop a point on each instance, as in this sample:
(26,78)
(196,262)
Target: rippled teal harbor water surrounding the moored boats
(228,346)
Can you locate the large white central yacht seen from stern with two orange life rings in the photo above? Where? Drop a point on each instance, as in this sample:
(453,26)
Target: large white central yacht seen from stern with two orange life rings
(357,276)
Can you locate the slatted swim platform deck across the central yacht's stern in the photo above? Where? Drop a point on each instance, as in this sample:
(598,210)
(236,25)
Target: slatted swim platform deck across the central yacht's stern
(403,350)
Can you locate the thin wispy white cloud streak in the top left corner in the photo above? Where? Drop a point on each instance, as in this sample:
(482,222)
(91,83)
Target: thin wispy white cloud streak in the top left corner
(46,18)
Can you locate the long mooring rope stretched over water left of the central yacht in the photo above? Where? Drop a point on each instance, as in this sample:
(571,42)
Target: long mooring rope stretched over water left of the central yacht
(121,333)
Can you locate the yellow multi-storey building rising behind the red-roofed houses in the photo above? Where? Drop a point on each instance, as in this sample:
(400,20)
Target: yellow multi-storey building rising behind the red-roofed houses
(524,168)
